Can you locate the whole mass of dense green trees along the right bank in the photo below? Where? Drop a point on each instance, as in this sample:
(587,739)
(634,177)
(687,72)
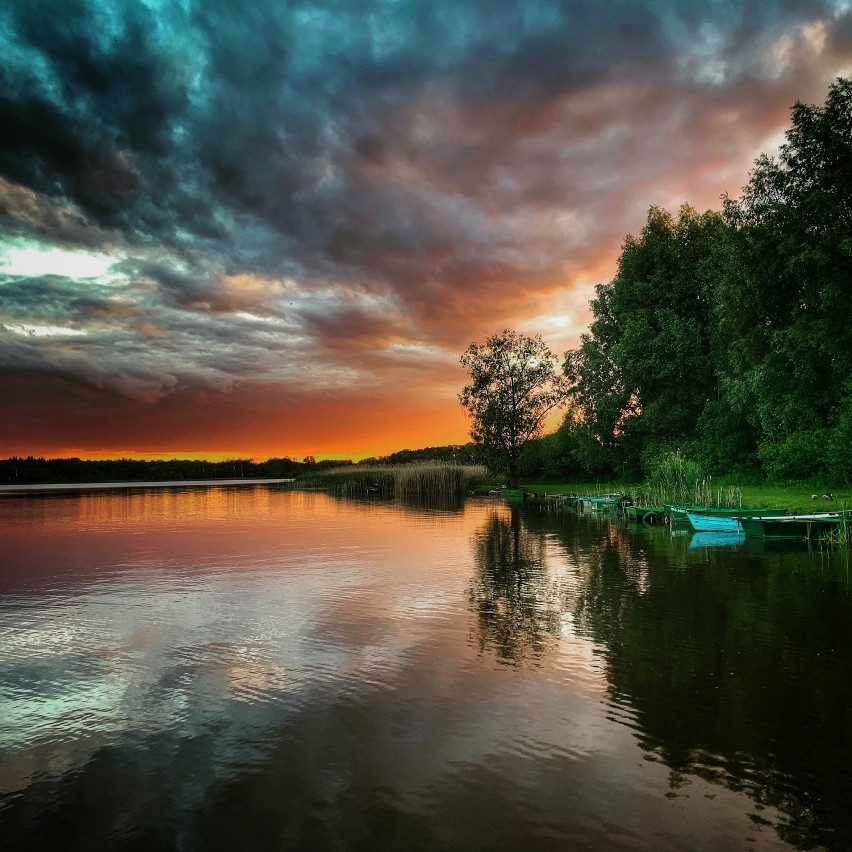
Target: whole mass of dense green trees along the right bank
(727,335)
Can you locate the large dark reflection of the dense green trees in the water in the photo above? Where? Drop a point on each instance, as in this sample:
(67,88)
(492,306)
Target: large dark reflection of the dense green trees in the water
(734,663)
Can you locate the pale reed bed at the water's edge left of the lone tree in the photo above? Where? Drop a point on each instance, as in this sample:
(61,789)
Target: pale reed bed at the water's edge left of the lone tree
(420,479)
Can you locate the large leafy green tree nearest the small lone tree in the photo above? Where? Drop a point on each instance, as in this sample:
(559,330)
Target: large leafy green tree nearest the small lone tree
(645,371)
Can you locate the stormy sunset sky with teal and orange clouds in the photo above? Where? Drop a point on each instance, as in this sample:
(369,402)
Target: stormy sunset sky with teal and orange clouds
(271,228)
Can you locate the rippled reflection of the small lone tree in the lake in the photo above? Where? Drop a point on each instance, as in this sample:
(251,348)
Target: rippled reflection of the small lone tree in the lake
(518,607)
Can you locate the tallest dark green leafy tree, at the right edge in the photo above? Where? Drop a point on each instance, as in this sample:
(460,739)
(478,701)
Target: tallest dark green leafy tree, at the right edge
(783,303)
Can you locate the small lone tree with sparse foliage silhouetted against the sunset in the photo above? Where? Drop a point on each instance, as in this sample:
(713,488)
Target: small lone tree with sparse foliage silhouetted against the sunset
(514,386)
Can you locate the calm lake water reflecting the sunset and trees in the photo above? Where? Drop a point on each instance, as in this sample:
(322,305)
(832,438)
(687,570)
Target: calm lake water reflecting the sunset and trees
(235,668)
